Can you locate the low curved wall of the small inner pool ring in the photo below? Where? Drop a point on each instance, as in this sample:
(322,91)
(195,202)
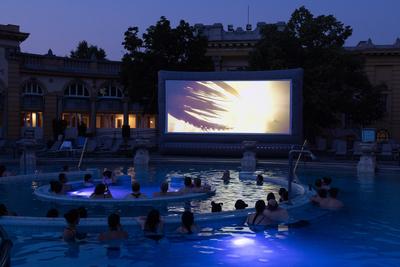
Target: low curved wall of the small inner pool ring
(44,194)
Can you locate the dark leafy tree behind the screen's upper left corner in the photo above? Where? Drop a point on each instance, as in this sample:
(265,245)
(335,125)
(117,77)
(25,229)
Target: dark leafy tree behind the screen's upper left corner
(161,47)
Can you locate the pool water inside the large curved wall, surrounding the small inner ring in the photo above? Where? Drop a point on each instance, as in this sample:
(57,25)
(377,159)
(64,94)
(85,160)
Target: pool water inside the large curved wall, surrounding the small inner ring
(19,197)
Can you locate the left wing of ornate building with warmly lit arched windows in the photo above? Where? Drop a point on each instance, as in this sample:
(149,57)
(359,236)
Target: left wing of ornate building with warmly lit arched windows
(35,90)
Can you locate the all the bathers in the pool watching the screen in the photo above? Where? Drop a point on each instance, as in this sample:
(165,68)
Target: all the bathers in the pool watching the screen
(267,212)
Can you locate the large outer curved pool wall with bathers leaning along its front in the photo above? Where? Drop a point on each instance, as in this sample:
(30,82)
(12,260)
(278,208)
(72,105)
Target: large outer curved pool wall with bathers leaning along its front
(37,225)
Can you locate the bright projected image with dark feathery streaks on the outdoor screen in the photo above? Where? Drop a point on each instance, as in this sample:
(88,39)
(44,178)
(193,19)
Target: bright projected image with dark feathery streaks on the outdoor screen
(261,107)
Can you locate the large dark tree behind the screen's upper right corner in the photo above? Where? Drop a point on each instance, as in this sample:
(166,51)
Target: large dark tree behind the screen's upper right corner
(334,79)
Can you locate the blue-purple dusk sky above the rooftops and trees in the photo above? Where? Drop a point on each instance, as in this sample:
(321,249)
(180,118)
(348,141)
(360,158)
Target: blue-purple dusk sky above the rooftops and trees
(61,24)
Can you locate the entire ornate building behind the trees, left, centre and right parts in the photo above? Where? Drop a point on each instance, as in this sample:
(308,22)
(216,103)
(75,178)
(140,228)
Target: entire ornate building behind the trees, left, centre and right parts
(37,89)
